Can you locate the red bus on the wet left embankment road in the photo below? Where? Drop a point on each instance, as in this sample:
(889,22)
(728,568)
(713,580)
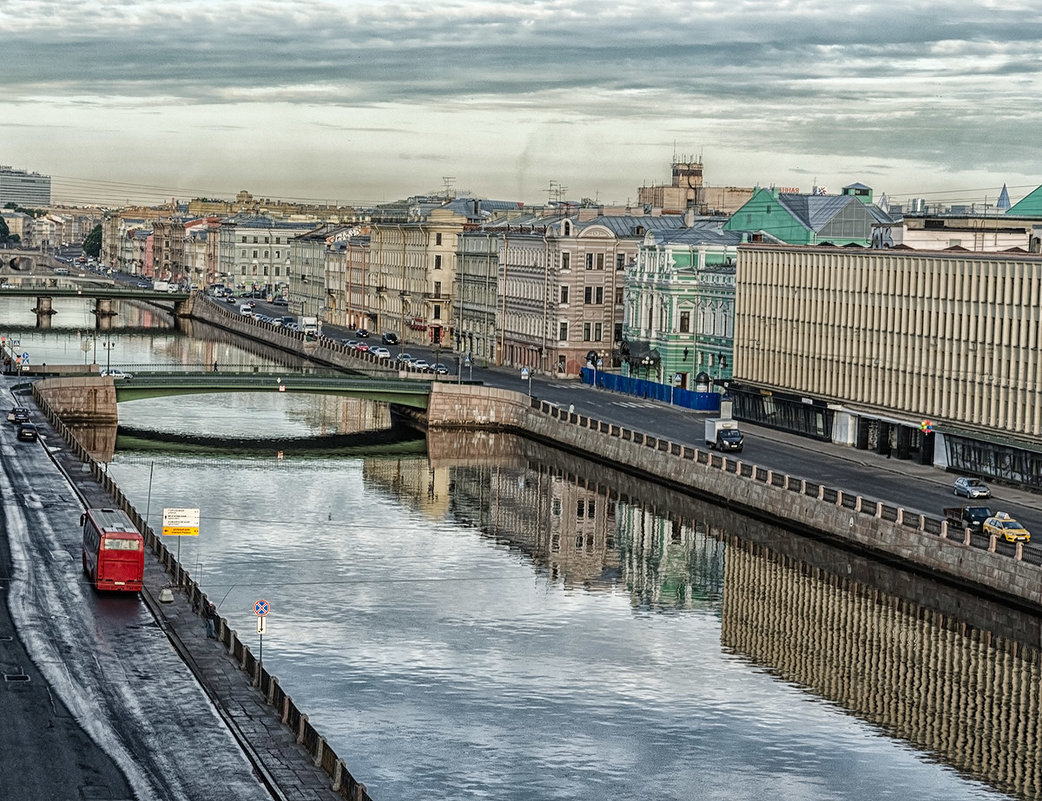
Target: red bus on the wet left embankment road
(114,550)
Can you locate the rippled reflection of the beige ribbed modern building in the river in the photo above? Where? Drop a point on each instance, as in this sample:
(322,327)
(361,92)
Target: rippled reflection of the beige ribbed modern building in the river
(962,693)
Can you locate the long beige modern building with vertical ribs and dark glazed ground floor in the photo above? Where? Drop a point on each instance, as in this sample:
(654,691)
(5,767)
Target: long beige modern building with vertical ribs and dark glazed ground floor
(864,347)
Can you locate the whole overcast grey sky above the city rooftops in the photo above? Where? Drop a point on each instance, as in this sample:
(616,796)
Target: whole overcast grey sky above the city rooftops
(364,103)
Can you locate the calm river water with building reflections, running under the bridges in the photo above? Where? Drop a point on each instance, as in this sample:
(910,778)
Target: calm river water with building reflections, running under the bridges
(478,617)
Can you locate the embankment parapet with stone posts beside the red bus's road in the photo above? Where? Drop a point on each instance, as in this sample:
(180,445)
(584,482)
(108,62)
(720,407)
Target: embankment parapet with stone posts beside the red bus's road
(340,779)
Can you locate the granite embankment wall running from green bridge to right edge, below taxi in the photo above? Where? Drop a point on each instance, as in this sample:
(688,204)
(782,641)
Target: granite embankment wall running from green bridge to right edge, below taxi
(912,540)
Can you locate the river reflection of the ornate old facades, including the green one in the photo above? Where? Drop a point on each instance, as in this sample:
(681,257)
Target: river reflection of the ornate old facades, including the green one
(576,528)
